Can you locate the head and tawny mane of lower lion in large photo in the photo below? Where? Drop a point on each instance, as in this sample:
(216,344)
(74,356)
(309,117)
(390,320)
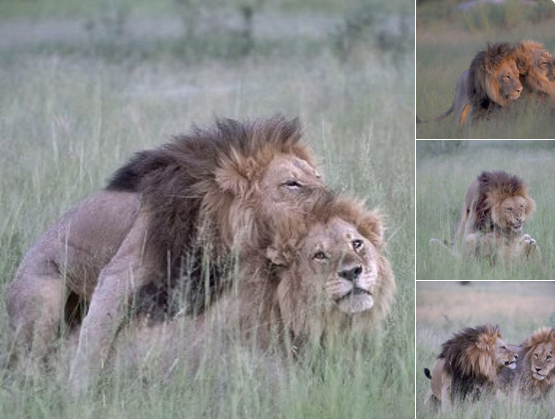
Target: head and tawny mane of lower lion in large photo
(325,274)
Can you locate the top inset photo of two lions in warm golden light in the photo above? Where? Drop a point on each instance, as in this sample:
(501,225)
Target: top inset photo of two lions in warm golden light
(485,69)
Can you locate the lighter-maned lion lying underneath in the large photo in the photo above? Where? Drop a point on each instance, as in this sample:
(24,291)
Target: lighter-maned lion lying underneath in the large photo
(317,279)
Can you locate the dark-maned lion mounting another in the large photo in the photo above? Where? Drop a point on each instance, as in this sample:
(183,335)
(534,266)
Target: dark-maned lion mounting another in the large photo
(182,211)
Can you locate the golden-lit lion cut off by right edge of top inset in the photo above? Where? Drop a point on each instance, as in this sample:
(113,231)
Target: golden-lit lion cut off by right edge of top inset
(536,68)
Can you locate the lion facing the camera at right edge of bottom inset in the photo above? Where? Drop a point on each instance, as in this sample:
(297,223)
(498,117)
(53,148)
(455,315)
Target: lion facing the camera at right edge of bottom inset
(534,378)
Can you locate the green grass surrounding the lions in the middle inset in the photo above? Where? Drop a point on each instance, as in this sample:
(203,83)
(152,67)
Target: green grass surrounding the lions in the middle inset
(444,172)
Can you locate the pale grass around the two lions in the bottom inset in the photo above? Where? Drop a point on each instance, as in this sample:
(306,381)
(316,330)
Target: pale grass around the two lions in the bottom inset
(519,308)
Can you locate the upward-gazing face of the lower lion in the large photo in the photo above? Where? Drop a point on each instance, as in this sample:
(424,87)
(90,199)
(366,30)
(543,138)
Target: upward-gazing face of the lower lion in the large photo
(338,267)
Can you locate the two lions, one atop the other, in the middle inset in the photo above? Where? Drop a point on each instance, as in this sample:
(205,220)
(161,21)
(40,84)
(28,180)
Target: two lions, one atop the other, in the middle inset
(496,207)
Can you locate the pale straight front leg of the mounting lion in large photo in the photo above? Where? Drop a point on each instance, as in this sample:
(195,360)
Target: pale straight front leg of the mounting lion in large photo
(118,282)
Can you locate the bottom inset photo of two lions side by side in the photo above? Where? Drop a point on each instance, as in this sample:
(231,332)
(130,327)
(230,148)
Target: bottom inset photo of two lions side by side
(485,349)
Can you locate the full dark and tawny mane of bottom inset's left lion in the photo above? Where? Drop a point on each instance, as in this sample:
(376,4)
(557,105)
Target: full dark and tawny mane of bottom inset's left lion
(470,359)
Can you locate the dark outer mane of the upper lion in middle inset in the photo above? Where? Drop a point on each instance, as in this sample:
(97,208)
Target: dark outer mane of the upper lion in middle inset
(489,183)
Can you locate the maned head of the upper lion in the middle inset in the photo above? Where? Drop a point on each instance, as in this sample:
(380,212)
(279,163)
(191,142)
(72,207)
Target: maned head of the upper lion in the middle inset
(503,202)
